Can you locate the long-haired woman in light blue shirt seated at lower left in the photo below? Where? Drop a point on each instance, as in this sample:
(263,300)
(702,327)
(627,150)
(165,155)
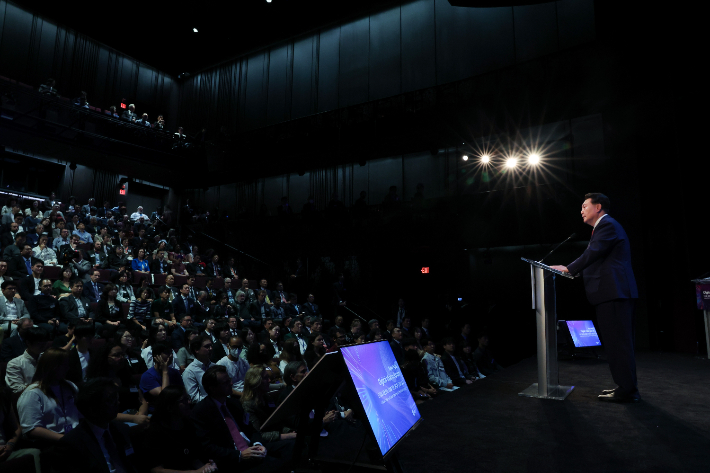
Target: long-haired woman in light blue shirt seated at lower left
(46,407)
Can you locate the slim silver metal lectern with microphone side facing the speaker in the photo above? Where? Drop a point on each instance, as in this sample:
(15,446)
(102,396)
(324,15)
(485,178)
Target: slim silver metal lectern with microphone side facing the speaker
(542,279)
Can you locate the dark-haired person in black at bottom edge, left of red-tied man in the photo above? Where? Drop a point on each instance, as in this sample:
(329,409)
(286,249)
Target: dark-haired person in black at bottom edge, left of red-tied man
(172,434)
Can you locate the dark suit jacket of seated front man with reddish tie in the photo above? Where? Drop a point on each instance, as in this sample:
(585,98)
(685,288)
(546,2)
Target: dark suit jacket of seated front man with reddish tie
(212,430)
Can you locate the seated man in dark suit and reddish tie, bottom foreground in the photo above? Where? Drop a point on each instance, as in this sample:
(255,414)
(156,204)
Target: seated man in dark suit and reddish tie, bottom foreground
(219,422)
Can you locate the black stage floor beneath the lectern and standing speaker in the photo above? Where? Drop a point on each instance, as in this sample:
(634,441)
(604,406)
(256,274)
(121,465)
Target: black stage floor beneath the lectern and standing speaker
(487,427)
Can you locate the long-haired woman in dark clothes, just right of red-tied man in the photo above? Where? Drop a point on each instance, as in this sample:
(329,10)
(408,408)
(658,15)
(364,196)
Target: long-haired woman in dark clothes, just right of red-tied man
(256,387)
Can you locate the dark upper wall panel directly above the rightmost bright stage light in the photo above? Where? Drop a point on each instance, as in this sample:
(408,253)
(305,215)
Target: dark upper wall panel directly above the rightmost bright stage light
(535,30)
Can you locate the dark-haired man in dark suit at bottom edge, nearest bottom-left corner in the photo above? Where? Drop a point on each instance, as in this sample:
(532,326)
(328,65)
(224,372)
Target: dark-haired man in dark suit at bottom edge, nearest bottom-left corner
(97,444)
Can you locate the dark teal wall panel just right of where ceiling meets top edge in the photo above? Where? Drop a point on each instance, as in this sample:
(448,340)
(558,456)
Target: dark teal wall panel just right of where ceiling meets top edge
(418,45)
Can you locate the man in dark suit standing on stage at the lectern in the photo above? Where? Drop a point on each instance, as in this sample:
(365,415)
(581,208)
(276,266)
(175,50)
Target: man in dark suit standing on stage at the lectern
(611,288)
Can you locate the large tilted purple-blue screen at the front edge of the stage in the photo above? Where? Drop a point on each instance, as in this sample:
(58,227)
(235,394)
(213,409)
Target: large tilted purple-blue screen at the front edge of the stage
(390,408)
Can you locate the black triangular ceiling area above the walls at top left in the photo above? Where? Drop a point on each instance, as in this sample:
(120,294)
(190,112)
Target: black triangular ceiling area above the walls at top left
(160,33)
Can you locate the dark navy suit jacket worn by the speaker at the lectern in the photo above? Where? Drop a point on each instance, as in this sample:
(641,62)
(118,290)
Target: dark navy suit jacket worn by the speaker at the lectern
(606,264)
